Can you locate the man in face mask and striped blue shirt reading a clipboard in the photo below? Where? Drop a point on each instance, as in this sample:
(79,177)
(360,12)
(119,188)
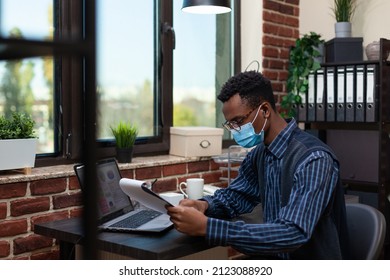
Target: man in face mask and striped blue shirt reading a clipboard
(293,174)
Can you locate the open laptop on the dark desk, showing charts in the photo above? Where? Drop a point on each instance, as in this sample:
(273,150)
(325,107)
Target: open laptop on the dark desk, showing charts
(115,208)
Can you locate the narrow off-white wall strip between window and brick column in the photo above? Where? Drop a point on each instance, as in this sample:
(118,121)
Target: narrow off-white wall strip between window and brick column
(251,33)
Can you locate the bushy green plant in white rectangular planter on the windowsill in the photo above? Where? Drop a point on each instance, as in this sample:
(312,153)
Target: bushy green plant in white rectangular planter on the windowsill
(17,142)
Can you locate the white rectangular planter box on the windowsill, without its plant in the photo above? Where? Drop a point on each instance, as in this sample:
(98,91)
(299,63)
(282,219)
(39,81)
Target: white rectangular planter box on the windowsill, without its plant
(17,153)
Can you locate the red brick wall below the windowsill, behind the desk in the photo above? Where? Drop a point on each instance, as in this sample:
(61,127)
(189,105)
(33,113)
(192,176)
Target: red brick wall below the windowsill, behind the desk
(24,204)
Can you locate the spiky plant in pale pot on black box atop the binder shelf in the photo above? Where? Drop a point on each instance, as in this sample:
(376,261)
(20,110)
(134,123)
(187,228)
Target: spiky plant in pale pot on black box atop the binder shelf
(343,12)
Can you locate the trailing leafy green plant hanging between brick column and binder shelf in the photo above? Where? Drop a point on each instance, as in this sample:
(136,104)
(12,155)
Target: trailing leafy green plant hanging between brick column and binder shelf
(303,60)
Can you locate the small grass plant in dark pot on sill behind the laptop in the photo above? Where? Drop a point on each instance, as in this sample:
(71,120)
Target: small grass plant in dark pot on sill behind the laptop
(125,135)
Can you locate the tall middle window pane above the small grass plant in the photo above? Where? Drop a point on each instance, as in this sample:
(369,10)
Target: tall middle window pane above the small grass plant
(126,62)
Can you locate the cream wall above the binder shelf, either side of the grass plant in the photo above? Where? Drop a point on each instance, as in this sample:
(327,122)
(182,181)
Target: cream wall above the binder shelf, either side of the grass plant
(371,20)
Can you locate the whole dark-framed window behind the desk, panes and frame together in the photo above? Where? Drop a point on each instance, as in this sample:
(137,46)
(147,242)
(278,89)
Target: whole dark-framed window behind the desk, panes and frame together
(156,67)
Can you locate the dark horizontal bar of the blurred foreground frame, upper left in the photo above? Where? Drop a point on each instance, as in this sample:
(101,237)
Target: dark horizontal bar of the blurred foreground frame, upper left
(19,49)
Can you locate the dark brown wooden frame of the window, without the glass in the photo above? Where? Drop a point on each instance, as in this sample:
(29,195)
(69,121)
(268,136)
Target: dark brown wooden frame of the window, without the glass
(70,25)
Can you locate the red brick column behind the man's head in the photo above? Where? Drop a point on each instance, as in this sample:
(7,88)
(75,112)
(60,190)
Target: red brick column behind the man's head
(280,30)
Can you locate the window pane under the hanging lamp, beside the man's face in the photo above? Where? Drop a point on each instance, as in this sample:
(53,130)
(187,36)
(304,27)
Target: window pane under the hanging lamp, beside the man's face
(203,49)
